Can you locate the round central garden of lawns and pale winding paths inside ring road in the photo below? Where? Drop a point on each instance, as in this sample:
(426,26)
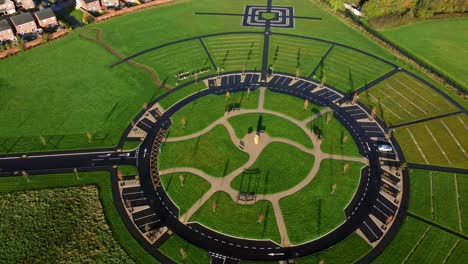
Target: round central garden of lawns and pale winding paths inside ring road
(255,164)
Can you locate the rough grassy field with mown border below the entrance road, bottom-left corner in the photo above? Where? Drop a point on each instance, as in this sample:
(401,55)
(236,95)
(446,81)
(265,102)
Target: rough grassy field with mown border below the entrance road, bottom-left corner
(50,206)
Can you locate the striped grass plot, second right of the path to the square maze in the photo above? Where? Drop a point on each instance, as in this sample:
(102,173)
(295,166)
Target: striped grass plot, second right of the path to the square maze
(348,70)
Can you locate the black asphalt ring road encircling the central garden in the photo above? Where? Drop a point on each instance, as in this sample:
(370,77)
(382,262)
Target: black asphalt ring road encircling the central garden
(259,249)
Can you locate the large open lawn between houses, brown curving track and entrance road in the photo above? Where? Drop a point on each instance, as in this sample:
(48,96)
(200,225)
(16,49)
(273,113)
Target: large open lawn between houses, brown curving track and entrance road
(67,89)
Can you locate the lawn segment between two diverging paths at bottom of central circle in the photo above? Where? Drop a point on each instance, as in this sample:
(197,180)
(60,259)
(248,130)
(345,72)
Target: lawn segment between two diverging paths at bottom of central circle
(238,220)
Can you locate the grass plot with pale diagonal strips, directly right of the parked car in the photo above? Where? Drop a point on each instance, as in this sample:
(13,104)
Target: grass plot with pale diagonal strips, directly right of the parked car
(434,138)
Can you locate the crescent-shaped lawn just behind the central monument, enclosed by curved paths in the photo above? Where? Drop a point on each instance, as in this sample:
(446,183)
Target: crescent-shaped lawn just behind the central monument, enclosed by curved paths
(274,126)
